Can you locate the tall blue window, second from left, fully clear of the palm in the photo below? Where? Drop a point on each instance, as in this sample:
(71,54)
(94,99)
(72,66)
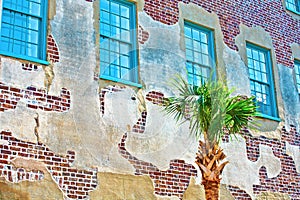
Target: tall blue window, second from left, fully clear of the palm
(118,56)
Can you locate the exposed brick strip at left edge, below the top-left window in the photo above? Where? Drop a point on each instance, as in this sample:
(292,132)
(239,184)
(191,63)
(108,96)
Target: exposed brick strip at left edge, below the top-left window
(34,99)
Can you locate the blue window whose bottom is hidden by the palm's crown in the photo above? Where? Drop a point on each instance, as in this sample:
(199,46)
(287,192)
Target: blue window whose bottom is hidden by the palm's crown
(199,53)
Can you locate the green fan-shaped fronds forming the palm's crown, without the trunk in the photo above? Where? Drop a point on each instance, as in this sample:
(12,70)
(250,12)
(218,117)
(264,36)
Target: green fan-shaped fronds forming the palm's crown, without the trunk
(209,109)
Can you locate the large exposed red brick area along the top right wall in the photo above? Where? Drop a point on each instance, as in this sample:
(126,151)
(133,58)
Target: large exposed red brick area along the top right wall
(283,28)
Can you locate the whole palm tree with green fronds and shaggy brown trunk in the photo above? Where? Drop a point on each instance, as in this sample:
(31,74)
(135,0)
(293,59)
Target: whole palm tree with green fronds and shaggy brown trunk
(212,112)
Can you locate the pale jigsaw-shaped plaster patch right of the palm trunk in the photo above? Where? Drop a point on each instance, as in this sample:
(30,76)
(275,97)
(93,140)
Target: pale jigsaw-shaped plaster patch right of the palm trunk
(244,173)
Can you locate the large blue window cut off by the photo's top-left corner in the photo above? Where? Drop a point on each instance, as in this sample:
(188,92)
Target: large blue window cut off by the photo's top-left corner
(23,29)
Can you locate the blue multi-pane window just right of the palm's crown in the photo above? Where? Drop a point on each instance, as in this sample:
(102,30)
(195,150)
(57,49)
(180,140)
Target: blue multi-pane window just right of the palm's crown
(261,80)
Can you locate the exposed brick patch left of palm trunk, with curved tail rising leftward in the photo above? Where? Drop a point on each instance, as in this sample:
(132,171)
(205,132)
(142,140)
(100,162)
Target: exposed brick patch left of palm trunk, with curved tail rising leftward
(172,182)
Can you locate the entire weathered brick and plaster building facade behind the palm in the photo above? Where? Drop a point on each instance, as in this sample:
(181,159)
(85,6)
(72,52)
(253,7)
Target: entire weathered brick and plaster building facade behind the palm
(73,126)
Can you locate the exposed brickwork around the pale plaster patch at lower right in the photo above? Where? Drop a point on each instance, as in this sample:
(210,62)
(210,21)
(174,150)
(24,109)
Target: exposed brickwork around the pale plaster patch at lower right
(288,180)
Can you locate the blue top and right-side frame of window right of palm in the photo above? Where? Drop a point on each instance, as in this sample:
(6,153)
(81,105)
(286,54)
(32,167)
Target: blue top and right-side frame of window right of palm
(270,78)
